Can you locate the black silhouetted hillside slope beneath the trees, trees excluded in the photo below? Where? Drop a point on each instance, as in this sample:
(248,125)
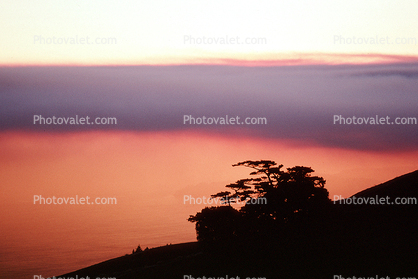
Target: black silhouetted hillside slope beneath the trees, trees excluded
(349,240)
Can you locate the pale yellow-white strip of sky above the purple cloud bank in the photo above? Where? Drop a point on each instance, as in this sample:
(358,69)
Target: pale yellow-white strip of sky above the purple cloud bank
(161,32)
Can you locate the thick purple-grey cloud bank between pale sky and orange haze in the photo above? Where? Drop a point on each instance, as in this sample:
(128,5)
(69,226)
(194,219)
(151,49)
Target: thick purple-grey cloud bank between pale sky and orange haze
(299,102)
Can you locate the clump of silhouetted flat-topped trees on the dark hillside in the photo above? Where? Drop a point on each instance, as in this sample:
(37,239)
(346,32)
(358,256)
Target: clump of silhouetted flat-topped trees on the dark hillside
(273,199)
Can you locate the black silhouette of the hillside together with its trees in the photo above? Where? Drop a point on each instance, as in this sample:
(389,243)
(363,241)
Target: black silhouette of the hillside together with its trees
(299,233)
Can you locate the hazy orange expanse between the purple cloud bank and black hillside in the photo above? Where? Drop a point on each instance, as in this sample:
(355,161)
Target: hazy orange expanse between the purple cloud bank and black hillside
(148,174)
